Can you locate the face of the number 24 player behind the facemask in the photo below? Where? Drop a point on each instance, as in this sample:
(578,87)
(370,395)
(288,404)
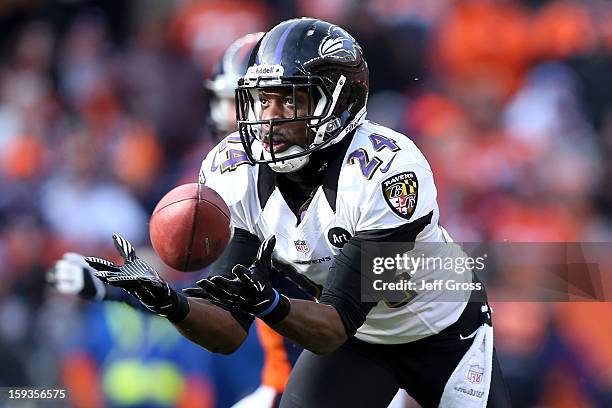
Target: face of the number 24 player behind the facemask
(279,103)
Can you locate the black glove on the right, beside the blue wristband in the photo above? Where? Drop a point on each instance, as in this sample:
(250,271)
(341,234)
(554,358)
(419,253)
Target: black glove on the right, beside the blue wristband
(247,289)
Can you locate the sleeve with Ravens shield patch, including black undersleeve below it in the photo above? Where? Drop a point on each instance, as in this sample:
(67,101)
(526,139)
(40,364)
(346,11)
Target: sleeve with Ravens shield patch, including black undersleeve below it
(387,195)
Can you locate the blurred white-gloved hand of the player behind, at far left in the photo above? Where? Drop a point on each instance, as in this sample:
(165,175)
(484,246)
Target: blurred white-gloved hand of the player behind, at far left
(72,275)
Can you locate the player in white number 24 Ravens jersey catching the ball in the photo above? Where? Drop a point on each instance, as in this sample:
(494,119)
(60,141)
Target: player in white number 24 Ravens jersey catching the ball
(311,185)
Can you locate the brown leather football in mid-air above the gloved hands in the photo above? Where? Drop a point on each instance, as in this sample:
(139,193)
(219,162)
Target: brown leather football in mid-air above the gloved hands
(190,227)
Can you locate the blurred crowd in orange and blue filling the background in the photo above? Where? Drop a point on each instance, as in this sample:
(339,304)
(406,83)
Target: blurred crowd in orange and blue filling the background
(103,110)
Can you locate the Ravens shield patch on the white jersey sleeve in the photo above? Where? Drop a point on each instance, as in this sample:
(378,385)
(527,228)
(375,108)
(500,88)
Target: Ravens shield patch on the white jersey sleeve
(401,193)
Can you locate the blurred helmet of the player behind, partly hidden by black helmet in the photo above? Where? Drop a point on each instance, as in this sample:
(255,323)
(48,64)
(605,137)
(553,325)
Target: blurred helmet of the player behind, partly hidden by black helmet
(222,85)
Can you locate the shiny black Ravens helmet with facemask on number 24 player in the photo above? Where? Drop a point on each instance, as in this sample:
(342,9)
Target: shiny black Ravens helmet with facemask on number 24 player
(311,55)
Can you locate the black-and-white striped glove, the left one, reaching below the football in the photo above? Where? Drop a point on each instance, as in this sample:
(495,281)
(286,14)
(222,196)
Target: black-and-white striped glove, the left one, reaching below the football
(141,281)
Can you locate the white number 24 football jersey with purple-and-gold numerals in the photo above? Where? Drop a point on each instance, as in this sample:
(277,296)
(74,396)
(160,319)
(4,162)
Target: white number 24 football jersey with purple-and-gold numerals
(384,182)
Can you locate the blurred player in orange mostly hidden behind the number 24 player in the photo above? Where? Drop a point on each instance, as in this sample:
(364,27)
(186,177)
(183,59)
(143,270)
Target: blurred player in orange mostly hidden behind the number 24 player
(72,275)
